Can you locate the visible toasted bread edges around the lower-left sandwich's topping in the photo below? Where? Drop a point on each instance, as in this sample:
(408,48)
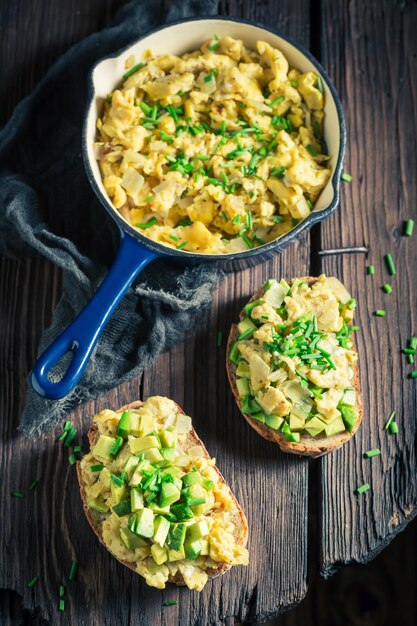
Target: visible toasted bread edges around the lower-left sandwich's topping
(96,519)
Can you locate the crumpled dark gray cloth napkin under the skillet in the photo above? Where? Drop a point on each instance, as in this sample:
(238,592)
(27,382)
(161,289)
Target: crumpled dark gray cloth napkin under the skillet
(48,208)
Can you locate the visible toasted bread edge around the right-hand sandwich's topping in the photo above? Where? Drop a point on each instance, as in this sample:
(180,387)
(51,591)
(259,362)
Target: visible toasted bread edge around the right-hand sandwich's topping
(307,446)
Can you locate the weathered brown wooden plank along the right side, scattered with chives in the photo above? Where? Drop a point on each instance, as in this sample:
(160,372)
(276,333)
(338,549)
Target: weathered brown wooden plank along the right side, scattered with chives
(370,51)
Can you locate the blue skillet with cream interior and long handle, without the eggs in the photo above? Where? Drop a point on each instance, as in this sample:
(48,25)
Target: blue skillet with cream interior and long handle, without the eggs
(136,250)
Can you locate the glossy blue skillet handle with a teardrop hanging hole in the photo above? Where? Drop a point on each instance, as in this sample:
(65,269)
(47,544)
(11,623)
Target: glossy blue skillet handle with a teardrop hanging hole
(82,335)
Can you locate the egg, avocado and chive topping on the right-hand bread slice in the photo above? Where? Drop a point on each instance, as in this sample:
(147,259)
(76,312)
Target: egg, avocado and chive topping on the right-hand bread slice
(293,358)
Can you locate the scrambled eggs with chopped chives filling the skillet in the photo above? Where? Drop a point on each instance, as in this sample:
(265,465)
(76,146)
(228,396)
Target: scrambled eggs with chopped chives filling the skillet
(217,151)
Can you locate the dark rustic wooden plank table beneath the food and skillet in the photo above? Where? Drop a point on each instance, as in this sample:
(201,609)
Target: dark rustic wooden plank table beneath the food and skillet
(303,517)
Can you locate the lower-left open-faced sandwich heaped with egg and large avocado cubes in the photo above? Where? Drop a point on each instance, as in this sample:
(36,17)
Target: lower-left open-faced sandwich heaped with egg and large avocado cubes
(155,498)
